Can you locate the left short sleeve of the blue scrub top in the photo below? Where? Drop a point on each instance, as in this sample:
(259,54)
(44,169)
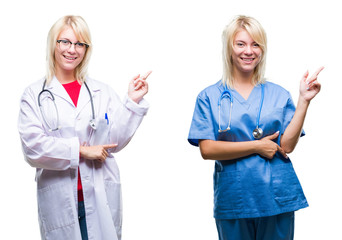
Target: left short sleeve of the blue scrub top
(201,125)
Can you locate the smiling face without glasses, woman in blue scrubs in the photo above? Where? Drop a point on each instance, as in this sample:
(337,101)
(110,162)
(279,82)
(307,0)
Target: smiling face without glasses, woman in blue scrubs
(246,53)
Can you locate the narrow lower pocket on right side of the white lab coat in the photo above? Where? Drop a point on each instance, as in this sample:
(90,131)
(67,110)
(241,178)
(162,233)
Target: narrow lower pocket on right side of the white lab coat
(113,192)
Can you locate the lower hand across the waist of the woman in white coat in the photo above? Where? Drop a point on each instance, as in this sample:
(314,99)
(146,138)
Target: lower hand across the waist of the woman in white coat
(98,152)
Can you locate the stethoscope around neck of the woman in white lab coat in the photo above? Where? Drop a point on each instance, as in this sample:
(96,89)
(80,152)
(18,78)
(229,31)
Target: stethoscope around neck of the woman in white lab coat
(91,122)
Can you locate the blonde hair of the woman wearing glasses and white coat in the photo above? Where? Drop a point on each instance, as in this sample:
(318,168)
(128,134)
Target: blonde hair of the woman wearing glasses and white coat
(80,27)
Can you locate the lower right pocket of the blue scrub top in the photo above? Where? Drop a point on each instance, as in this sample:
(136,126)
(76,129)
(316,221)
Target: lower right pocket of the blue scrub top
(286,185)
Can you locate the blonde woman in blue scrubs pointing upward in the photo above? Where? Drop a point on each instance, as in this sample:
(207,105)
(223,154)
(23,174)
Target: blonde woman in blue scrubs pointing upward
(248,125)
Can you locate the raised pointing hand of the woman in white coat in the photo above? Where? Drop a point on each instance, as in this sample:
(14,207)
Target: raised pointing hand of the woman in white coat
(138,87)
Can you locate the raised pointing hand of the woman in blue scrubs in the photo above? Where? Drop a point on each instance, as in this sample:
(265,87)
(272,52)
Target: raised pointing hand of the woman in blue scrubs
(309,87)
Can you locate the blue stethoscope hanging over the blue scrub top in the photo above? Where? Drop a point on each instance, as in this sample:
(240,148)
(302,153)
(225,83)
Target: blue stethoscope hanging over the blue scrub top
(257,132)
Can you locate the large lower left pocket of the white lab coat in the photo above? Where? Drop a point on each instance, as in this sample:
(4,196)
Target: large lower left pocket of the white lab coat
(55,207)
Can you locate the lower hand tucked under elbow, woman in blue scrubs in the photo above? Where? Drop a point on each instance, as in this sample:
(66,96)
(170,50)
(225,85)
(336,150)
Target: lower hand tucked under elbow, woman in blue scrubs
(268,148)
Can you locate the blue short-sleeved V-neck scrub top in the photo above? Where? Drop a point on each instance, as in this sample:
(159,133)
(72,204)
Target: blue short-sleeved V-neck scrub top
(251,186)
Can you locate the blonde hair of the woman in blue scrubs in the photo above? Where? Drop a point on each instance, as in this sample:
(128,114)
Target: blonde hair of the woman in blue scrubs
(256,31)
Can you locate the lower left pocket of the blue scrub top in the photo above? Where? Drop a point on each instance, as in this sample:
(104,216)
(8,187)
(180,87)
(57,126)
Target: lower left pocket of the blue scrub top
(228,192)
